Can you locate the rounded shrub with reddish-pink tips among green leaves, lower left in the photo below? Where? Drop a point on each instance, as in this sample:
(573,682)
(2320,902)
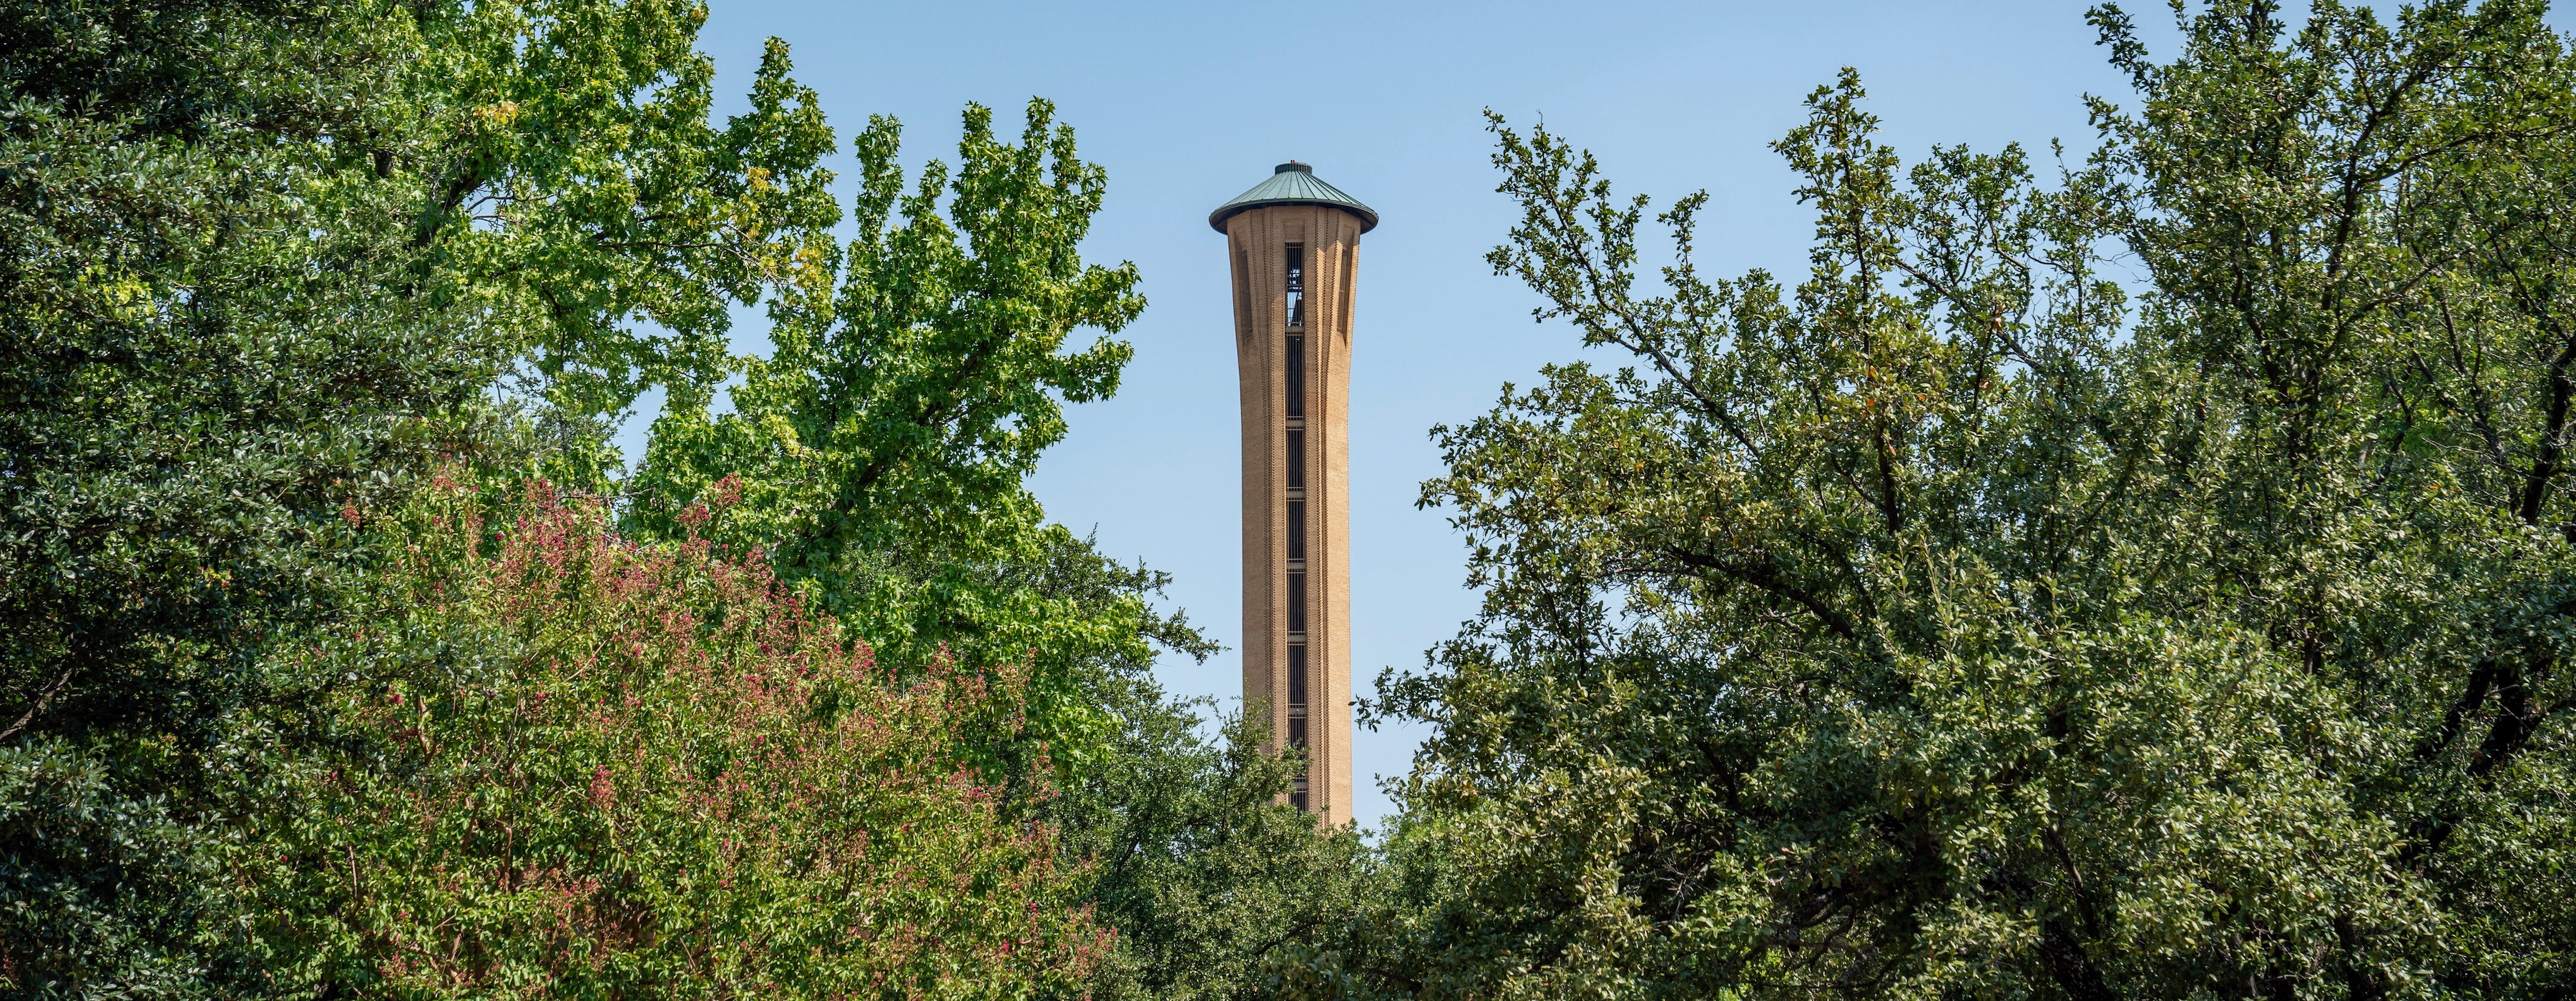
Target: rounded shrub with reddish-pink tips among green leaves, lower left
(591,768)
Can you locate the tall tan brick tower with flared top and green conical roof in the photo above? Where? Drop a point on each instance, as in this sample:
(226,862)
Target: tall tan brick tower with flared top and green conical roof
(1294,246)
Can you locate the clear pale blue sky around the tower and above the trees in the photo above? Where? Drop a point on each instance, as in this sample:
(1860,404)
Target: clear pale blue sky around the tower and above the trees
(1189,104)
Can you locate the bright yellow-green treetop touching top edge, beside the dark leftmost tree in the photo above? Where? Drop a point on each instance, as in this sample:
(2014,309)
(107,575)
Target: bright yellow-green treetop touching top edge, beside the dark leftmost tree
(571,179)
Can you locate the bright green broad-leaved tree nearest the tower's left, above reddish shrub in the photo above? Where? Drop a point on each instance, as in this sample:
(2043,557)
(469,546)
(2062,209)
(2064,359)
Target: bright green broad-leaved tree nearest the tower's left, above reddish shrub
(885,444)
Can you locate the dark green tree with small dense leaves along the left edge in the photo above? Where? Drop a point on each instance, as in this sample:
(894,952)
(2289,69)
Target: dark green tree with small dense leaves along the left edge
(202,369)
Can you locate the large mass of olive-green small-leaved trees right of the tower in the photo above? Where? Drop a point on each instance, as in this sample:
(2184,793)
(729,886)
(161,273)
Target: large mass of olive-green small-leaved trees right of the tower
(1964,624)
